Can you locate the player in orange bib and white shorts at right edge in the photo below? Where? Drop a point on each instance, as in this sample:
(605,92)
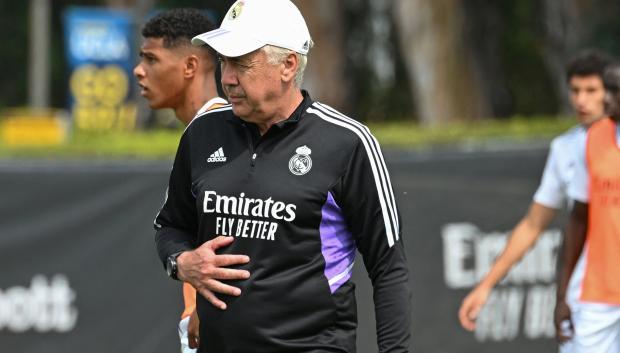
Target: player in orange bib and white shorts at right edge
(594,319)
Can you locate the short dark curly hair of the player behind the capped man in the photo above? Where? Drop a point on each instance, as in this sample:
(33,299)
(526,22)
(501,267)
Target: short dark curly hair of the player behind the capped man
(177,26)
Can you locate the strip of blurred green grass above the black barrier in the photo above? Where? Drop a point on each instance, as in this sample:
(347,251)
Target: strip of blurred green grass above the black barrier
(162,144)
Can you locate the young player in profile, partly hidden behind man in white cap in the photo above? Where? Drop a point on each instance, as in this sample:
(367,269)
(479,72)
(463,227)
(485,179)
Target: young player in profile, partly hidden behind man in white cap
(174,74)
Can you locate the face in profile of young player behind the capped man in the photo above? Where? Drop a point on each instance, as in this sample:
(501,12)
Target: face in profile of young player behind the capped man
(160,74)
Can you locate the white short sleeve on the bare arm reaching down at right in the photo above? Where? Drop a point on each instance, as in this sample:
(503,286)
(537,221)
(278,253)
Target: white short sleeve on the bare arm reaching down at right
(550,192)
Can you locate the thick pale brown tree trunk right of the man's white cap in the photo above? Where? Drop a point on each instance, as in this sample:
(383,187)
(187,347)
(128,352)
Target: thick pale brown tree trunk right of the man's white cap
(446,86)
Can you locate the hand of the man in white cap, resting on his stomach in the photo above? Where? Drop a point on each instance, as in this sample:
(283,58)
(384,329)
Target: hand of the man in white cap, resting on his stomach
(204,269)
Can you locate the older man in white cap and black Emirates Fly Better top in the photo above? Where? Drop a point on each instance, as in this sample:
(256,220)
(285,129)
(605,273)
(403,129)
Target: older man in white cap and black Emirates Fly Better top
(270,198)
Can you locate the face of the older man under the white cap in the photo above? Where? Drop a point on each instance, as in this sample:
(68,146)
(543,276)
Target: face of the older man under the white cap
(253,85)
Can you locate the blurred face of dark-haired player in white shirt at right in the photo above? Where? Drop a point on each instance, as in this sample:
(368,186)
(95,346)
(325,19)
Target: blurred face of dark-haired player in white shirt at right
(587,95)
